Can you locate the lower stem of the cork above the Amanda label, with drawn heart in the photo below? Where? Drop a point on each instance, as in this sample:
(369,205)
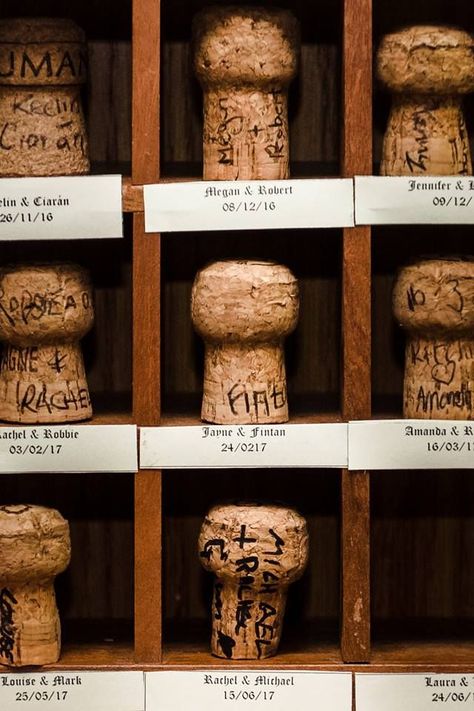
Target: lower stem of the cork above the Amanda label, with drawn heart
(439,378)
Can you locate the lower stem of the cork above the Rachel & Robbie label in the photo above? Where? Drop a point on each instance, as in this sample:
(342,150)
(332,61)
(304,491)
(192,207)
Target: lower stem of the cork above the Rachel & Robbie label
(44,384)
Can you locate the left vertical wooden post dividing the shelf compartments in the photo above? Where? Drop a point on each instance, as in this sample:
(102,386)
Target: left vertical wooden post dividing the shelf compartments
(146,326)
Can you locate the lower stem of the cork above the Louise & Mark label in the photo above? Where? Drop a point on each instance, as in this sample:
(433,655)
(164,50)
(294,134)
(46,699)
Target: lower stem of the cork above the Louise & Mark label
(30,630)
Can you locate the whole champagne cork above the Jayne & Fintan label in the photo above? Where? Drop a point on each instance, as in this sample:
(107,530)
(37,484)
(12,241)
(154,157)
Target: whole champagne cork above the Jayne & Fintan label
(243,310)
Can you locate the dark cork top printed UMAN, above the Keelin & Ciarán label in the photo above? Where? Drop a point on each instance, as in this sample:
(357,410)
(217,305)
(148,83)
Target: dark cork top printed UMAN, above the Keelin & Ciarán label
(39,51)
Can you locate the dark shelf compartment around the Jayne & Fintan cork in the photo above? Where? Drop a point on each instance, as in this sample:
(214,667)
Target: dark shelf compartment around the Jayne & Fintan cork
(312,351)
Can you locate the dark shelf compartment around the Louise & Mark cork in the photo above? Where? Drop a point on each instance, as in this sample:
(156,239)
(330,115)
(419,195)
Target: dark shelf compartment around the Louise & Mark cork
(95,593)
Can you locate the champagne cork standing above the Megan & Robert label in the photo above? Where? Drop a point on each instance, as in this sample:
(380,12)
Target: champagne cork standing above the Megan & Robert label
(245,58)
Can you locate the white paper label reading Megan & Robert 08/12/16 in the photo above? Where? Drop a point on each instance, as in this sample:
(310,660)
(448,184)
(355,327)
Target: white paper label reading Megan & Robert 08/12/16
(248,204)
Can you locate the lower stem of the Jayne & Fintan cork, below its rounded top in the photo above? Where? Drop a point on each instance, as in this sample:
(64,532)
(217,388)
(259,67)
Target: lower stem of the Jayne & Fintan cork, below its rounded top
(244,383)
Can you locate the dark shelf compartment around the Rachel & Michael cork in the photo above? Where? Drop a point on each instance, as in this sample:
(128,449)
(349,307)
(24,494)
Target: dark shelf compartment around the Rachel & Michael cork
(187,588)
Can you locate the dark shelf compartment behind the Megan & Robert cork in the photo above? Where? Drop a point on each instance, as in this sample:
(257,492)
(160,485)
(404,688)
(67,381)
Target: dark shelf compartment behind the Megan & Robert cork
(314,105)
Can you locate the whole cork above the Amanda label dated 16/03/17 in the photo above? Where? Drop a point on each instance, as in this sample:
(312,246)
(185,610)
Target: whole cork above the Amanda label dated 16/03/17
(434,301)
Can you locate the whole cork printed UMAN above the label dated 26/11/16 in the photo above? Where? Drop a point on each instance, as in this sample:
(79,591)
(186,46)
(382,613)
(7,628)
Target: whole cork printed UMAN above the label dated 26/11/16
(43,63)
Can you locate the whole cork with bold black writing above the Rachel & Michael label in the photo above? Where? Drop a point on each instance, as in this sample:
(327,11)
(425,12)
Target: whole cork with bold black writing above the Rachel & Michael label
(255,551)
